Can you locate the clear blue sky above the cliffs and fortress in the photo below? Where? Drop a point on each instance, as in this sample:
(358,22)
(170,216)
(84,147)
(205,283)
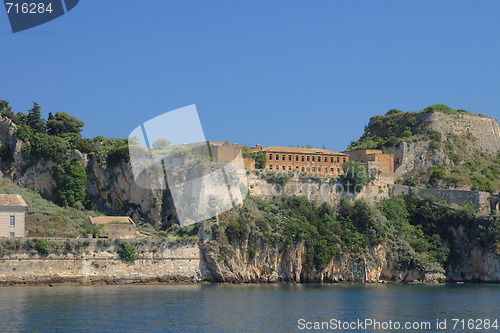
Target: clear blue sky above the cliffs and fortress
(268,72)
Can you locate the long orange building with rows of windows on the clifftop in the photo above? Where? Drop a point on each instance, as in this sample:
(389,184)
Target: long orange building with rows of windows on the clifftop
(320,162)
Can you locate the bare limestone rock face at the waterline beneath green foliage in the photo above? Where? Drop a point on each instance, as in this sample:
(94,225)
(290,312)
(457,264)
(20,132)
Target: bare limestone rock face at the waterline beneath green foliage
(288,264)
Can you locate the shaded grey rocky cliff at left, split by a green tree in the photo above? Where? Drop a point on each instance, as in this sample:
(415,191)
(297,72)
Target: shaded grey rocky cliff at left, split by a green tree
(111,187)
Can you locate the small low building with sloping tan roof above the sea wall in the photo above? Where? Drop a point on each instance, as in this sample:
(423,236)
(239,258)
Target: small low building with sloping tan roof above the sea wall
(113,226)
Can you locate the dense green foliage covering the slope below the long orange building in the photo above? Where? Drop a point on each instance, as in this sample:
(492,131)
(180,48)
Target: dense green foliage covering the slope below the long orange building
(415,231)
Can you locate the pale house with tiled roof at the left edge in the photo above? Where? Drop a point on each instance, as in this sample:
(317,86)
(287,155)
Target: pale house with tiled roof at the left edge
(12,213)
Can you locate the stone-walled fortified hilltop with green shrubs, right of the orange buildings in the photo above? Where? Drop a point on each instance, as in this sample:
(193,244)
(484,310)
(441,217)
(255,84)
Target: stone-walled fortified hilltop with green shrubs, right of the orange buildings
(438,147)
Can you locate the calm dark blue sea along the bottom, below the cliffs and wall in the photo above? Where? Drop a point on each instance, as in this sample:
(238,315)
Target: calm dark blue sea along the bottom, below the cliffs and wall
(245,308)
